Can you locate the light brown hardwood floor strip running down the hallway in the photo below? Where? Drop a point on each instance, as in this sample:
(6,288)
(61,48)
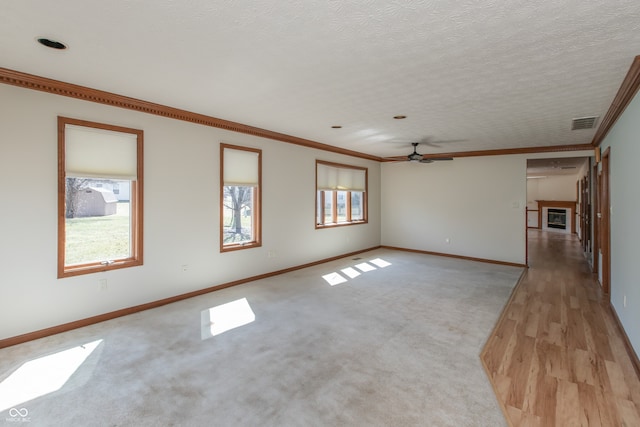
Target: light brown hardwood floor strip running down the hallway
(557,356)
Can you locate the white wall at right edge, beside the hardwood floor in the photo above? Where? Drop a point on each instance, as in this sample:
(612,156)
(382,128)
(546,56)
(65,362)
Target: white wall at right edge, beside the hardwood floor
(625,218)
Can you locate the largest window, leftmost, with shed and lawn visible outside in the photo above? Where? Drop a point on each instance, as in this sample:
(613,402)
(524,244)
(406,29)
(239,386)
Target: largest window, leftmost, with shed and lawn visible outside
(98,229)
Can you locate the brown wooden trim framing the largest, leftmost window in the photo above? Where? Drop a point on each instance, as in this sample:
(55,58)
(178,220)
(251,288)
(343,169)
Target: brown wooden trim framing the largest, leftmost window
(136,200)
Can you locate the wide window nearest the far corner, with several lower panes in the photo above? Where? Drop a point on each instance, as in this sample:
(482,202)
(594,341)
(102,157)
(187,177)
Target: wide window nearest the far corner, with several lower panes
(341,194)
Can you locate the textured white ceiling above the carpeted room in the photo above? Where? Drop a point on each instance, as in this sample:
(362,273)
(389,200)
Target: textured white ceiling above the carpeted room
(475,75)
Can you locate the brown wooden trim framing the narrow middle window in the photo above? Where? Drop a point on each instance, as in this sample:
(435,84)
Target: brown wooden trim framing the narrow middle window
(257,203)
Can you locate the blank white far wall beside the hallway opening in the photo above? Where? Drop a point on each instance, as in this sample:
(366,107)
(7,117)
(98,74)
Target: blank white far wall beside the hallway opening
(478,203)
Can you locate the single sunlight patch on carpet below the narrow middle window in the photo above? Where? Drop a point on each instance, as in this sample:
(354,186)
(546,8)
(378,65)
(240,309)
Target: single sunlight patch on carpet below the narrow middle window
(222,318)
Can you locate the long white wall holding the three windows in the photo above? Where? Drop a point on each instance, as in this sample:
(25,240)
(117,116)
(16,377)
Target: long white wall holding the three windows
(181,217)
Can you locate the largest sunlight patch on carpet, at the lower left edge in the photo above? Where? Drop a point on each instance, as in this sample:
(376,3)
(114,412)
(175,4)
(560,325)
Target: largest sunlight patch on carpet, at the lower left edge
(44,375)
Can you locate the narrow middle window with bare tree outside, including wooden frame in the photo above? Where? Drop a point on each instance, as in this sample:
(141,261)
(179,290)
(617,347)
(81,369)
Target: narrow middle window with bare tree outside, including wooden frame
(240,192)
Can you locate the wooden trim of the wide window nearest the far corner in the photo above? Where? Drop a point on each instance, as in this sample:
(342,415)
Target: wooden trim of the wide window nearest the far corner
(334,213)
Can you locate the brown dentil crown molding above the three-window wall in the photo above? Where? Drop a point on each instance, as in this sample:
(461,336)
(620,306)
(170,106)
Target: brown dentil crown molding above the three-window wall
(30,81)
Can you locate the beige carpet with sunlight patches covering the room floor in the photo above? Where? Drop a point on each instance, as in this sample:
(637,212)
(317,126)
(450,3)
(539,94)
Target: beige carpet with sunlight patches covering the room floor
(397,345)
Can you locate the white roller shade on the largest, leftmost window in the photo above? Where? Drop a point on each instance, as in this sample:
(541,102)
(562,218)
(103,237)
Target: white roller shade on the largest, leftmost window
(99,153)
